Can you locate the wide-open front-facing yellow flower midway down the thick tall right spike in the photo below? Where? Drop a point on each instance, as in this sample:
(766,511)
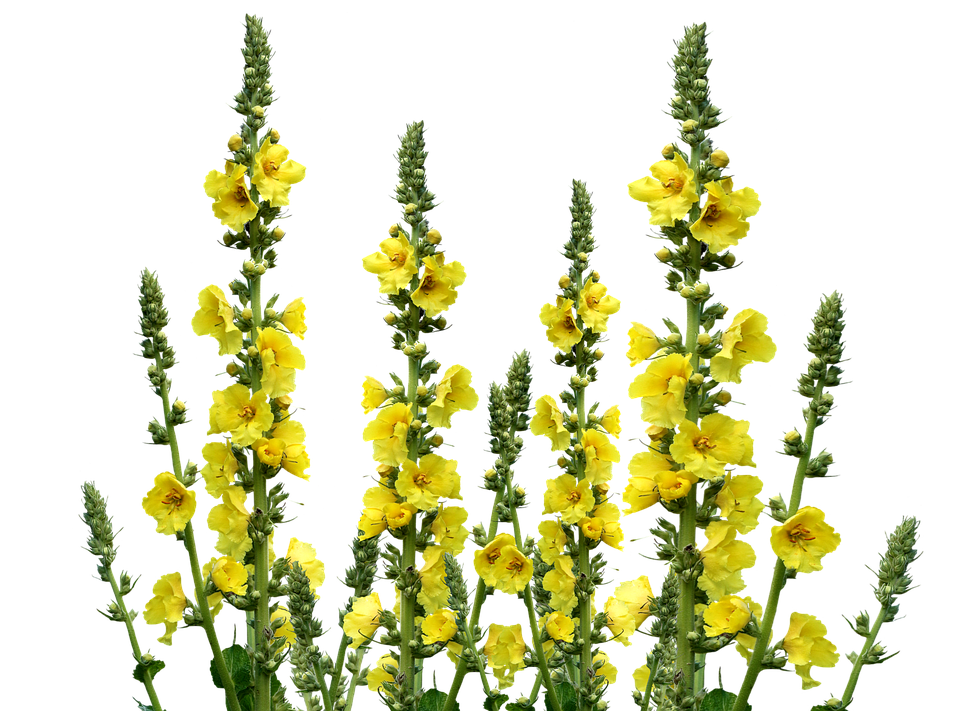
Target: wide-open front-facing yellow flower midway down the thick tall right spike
(719,440)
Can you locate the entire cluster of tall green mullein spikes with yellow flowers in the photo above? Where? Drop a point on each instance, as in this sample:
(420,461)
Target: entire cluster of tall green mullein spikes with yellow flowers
(696,464)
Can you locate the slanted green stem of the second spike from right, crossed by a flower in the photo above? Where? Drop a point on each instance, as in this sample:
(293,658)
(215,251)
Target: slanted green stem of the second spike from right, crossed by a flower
(749,680)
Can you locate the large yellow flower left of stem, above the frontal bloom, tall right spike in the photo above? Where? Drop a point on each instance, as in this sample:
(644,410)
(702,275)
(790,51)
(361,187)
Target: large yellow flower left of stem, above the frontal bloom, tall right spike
(661,388)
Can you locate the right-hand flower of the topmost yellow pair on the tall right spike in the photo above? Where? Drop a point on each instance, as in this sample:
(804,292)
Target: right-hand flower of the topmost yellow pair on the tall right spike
(723,217)
